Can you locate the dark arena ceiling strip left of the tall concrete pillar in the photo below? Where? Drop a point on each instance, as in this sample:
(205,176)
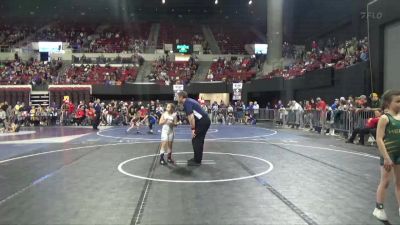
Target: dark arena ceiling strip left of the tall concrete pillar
(132,9)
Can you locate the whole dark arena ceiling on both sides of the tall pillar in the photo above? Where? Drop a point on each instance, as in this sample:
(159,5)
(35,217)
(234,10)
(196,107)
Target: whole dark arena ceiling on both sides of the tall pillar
(302,18)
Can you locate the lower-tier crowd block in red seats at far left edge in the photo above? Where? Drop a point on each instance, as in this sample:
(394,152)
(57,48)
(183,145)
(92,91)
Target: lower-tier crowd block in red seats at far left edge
(32,72)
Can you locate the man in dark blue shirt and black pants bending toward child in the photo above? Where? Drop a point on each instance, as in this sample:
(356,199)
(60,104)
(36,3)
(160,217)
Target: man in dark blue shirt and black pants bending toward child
(199,121)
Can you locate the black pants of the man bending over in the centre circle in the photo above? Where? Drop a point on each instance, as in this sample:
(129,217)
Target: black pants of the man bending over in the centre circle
(201,128)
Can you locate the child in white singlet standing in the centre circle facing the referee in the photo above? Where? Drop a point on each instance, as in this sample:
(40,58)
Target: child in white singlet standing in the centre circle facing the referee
(168,121)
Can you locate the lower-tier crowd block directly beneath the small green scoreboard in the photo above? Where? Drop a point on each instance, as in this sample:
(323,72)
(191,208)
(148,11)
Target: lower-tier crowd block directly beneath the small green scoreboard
(168,72)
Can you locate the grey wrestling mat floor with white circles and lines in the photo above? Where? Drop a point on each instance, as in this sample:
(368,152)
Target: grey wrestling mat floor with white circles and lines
(250,175)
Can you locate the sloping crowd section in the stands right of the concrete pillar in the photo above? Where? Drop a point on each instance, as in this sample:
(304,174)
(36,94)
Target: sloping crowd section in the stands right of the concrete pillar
(323,55)
